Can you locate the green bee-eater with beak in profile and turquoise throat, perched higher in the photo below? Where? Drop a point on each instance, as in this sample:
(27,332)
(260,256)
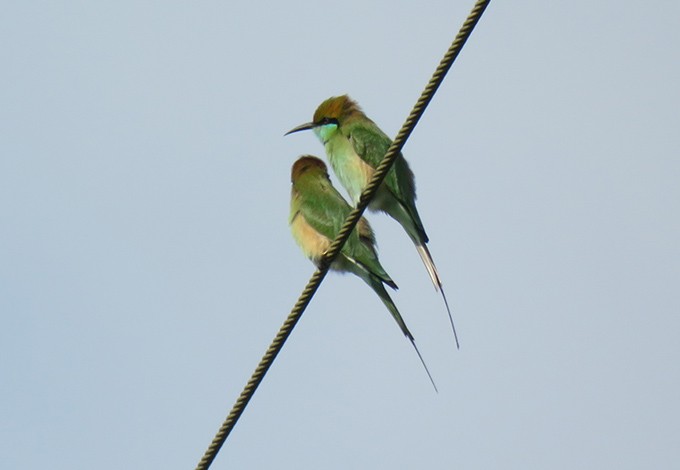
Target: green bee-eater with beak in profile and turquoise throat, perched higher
(355,145)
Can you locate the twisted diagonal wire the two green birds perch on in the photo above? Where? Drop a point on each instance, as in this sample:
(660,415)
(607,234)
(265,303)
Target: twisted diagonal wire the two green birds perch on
(352,219)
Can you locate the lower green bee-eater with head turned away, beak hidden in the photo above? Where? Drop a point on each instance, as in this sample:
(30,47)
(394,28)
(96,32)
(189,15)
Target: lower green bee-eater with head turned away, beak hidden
(317,212)
